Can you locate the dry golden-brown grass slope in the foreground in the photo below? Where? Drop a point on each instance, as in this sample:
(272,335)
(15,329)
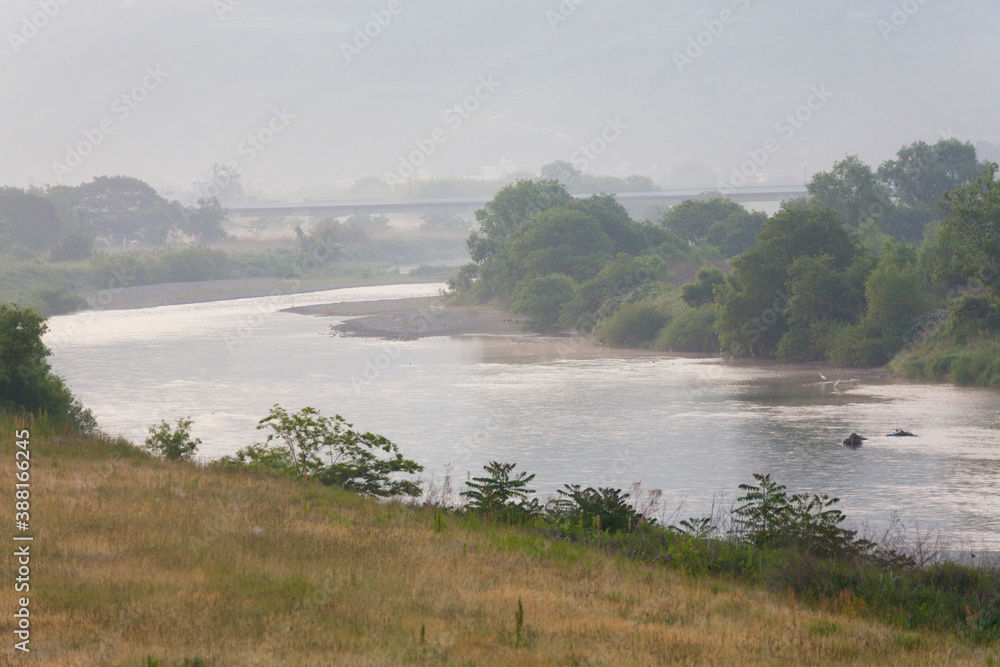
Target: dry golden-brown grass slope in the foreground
(136,557)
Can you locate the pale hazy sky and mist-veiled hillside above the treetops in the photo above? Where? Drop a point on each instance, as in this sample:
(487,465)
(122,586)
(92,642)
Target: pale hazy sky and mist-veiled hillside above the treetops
(681,91)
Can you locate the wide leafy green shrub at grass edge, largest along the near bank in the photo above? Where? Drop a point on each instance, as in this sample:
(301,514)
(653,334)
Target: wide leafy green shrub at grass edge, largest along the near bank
(328,449)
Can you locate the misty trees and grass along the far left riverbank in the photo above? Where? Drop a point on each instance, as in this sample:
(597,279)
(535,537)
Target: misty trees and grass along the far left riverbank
(61,245)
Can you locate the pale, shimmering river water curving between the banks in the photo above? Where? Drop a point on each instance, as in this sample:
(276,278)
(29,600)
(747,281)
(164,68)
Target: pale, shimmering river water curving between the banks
(694,428)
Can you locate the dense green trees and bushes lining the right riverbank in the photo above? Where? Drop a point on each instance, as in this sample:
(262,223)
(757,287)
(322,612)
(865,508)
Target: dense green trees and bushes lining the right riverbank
(901,261)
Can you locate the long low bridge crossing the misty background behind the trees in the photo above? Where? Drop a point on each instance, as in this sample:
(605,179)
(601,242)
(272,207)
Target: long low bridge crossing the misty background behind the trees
(635,202)
